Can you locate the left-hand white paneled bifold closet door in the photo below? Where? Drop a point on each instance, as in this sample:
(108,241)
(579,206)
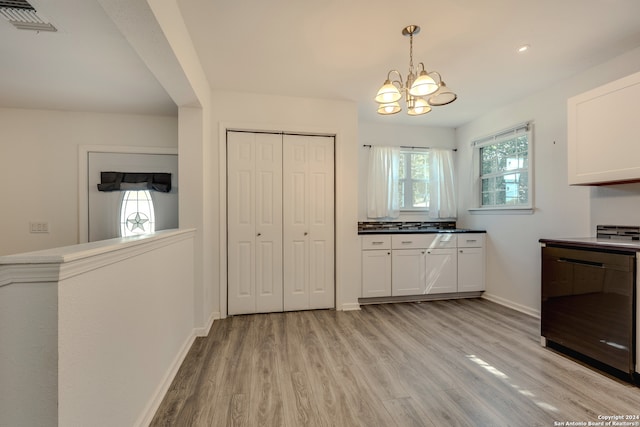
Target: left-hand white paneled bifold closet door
(254,223)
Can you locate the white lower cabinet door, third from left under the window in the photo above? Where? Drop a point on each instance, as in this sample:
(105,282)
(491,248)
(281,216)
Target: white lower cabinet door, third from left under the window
(441,271)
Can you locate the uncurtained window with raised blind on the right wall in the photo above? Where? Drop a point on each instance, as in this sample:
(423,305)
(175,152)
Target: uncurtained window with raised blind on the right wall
(505,169)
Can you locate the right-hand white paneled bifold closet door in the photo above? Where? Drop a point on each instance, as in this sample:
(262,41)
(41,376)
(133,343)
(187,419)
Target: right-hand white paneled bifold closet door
(308,218)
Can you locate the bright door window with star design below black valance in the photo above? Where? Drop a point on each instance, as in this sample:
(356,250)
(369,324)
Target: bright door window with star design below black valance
(137,215)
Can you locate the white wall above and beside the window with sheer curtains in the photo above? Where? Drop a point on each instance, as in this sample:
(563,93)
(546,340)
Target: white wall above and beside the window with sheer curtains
(395,136)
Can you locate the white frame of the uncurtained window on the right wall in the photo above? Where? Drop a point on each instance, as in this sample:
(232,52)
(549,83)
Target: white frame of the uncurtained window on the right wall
(497,138)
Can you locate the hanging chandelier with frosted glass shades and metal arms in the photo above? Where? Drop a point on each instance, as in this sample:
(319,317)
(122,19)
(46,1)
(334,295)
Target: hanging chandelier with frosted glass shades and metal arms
(422,89)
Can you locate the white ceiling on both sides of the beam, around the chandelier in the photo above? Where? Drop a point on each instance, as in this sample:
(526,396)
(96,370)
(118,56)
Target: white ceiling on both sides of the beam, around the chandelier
(325,49)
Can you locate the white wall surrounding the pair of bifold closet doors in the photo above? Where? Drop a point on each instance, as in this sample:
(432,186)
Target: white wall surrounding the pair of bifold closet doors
(263,112)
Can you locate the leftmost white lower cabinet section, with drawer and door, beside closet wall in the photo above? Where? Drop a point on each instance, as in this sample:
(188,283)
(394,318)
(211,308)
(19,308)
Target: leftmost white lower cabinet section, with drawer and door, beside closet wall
(376,266)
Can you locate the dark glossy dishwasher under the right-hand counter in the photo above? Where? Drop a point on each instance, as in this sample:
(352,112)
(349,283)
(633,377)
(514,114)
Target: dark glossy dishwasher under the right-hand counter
(588,303)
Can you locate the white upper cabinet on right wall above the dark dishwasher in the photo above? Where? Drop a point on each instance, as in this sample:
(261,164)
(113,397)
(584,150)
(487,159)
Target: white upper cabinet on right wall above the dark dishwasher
(604,133)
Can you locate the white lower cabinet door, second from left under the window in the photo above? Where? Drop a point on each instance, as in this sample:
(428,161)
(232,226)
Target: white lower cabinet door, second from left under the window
(408,271)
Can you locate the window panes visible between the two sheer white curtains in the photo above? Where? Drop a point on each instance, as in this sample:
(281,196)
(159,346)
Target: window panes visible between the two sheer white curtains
(413,180)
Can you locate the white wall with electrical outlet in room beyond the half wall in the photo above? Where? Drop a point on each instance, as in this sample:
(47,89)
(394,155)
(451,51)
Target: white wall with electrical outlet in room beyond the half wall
(39,167)
